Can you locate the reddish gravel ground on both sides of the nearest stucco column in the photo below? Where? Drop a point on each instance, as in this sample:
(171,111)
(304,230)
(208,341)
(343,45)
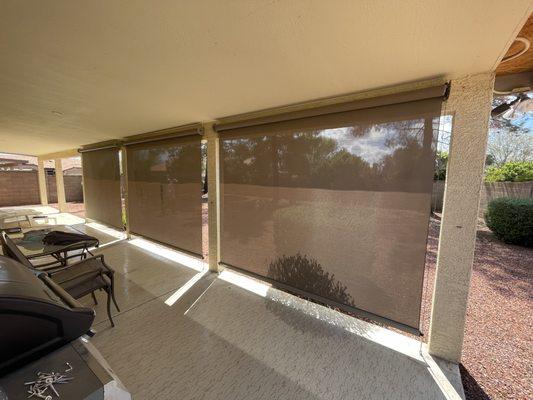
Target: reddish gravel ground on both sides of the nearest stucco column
(498,352)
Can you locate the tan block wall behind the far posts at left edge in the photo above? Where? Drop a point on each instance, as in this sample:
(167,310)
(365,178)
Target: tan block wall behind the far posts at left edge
(22,188)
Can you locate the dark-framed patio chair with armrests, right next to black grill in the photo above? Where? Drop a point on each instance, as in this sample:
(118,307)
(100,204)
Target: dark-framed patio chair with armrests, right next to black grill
(79,279)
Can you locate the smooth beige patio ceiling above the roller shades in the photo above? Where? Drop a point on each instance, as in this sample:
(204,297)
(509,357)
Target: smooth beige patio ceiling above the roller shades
(76,73)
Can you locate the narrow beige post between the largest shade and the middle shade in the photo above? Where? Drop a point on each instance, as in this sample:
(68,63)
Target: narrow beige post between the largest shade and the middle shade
(213,183)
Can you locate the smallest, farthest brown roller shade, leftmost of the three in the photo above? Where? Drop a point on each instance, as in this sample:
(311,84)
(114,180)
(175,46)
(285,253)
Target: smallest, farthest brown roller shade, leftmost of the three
(101,181)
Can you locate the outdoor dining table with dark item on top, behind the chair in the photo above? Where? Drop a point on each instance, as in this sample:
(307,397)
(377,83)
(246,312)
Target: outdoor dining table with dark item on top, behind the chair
(30,242)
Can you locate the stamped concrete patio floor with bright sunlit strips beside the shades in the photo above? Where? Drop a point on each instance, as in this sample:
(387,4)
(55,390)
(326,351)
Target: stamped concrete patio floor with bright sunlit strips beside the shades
(184,333)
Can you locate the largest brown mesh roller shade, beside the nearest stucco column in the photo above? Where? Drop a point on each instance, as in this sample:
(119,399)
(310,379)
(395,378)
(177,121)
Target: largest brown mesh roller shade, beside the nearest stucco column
(335,206)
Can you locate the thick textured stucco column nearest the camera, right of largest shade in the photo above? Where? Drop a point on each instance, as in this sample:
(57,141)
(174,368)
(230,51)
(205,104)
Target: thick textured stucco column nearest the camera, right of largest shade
(470,104)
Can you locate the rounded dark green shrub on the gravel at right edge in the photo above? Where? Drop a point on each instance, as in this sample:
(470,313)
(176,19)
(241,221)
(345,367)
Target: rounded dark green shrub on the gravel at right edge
(511,220)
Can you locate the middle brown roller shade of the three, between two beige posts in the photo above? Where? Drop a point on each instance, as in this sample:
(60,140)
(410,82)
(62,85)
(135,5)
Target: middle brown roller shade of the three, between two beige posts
(164,191)
